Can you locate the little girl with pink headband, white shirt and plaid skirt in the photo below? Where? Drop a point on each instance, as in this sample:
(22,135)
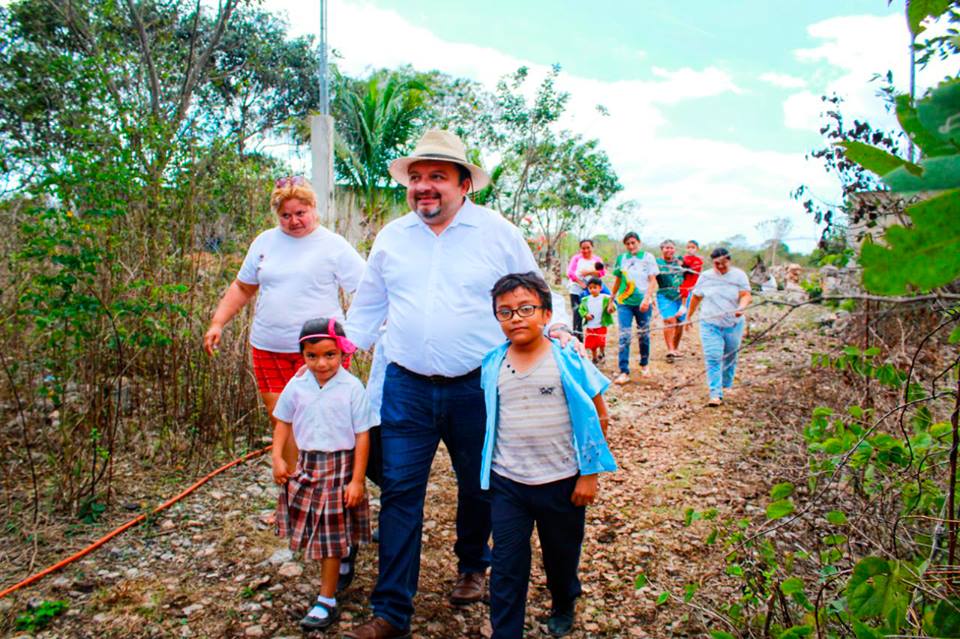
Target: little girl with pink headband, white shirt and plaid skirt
(323,508)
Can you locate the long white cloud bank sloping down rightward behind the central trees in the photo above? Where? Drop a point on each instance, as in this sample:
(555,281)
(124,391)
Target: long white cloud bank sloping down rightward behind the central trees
(686,186)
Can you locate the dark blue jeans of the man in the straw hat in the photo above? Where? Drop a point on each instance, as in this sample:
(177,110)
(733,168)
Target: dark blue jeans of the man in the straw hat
(416,415)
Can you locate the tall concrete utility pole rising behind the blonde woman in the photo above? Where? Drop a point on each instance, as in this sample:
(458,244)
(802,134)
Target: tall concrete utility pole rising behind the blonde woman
(321,135)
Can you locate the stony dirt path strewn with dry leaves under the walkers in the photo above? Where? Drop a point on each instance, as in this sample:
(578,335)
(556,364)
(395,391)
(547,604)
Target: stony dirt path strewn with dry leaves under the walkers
(210,567)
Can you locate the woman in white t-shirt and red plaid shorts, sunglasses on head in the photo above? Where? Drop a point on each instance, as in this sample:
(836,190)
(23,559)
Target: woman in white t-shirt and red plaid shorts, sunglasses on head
(296,270)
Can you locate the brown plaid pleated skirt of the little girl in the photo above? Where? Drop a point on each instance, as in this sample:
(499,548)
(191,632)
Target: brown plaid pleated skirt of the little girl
(311,510)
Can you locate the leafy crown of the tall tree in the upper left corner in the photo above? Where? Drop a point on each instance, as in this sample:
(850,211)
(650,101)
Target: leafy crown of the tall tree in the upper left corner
(156,77)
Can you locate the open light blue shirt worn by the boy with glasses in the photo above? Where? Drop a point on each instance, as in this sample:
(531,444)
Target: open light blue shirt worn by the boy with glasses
(581,383)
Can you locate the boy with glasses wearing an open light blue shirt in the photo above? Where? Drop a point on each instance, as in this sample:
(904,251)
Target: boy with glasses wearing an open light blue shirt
(544,445)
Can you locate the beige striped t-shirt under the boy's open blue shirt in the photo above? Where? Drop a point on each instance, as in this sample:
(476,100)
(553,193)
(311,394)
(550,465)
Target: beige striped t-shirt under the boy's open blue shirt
(534,443)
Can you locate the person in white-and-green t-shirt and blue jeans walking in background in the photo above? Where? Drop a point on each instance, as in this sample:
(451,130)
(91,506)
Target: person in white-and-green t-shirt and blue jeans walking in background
(635,284)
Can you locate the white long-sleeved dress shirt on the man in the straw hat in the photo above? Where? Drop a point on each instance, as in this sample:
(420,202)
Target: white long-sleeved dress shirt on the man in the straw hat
(434,290)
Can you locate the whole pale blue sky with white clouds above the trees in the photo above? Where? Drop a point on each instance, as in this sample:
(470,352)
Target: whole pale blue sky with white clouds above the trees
(713,105)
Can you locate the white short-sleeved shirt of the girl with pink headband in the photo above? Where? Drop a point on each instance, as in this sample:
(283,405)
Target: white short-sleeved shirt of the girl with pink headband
(325,418)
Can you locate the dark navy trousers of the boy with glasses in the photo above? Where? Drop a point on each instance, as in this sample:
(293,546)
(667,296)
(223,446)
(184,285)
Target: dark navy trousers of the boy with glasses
(514,508)
